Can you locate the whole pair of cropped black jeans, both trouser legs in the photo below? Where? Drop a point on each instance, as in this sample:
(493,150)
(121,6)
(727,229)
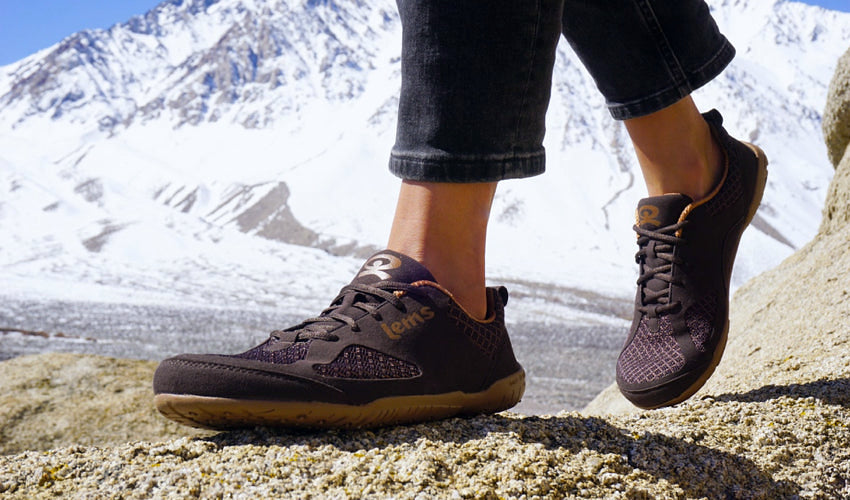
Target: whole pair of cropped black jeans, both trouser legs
(477,75)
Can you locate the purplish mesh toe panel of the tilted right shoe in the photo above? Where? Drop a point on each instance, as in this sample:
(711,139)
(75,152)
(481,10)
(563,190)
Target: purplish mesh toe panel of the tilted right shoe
(650,356)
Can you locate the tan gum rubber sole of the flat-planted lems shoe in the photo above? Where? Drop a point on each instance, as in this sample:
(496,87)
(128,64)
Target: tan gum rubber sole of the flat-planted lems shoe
(225,413)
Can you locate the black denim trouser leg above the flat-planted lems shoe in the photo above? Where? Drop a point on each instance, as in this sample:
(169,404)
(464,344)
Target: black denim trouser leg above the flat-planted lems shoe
(476,80)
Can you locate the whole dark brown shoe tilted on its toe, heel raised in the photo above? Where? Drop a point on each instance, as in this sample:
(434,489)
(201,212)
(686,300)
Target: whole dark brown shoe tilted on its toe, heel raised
(686,252)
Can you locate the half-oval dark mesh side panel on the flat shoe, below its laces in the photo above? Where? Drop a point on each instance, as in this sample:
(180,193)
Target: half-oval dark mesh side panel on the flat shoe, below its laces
(360,362)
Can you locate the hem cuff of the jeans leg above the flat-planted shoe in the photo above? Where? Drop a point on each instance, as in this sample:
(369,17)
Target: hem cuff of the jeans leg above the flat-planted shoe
(432,167)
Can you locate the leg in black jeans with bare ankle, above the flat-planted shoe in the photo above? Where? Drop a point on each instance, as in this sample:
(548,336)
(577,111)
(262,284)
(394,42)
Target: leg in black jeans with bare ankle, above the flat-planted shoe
(476,80)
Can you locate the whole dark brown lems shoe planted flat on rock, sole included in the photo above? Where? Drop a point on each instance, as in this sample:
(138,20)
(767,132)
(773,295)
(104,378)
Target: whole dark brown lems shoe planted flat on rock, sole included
(393,347)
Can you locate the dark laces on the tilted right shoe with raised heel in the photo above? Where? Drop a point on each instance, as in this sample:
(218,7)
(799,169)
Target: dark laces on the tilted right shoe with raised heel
(658,255)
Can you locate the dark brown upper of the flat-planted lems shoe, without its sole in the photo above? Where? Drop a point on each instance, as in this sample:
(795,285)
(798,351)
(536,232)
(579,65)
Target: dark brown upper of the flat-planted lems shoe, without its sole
(392,331)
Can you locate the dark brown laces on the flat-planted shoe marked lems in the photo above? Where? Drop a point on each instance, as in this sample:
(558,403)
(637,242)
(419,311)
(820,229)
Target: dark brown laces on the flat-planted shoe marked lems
(351,299)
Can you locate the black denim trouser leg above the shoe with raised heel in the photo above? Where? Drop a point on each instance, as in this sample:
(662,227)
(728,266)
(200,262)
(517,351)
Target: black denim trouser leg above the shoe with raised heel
(649,54)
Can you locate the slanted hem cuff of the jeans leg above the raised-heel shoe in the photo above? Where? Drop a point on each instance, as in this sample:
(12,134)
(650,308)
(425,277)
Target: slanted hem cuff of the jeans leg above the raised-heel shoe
(677,90)
